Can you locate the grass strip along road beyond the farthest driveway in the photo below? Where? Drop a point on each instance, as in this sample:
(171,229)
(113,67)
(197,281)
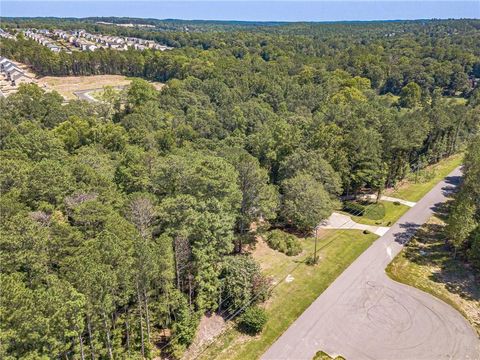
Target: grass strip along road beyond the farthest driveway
(414,191)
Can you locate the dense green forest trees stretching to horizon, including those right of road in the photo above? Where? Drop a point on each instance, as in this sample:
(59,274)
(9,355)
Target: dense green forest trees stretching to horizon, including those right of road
(124,221)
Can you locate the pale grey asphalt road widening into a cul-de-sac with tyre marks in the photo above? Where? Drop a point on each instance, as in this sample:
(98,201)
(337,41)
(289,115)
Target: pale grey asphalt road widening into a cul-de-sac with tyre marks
(365,315)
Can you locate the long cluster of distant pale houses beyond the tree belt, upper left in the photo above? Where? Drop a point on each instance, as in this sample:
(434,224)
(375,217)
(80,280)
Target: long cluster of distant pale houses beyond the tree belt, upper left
(59,40)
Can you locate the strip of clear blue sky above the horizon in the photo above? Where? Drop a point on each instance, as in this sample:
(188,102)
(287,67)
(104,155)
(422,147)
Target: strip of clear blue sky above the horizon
(284,10)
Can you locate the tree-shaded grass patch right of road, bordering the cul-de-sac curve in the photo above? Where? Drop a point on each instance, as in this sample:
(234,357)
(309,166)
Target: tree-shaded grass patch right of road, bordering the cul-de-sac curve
(427,264)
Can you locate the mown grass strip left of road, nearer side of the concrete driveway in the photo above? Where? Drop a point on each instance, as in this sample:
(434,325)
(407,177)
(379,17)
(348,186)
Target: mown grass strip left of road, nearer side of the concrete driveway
(303,284)
